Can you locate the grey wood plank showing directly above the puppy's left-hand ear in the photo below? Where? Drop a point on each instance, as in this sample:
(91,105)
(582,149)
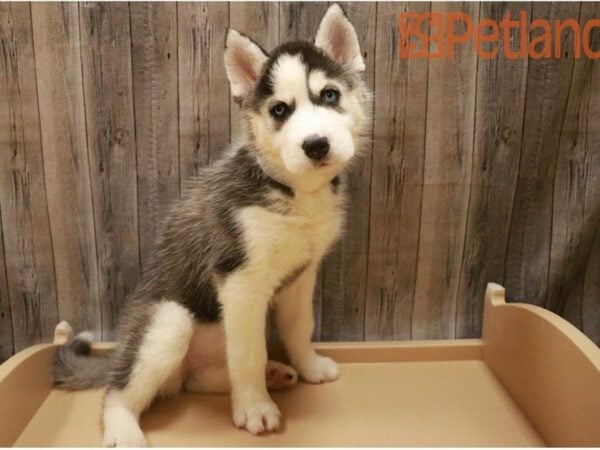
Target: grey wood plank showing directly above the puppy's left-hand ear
(259,21)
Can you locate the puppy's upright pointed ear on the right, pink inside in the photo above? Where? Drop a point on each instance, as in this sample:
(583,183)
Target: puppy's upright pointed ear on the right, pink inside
(337,37)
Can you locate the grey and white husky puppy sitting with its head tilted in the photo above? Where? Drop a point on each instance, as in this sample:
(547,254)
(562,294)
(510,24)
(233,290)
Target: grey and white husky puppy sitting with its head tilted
(248,233)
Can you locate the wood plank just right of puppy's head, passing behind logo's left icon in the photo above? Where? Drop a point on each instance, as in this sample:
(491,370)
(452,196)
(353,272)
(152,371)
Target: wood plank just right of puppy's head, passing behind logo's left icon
(398,154)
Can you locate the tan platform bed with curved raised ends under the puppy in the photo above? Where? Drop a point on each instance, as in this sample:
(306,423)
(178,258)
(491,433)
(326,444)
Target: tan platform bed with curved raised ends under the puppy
(533,379)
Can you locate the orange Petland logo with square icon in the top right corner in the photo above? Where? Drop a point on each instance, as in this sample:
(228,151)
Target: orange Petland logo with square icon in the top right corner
(539,39)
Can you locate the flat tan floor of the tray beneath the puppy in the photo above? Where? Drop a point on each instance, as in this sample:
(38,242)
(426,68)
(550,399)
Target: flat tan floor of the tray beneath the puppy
(414,403)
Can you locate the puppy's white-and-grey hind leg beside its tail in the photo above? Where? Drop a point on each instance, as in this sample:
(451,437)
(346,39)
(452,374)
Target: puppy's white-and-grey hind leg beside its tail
(140,374)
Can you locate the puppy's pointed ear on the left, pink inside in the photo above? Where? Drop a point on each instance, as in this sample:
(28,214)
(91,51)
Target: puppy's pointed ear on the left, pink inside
(243,62)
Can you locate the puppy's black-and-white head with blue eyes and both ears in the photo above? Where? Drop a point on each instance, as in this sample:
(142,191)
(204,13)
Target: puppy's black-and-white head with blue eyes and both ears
(305,105)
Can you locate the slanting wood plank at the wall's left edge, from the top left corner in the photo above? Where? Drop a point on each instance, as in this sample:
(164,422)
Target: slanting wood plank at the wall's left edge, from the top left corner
(27,241)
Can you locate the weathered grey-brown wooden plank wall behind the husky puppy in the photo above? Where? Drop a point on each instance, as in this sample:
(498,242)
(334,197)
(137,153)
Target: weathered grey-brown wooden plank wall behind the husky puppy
(478,170)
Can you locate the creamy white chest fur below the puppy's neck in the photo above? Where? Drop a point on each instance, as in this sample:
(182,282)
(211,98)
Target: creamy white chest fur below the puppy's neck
(277,244)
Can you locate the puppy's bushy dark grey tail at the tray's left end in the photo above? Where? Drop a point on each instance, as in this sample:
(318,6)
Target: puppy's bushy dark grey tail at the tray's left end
(75,368)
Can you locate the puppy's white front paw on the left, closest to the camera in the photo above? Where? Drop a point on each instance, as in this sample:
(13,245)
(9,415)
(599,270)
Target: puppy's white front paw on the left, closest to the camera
(256,416)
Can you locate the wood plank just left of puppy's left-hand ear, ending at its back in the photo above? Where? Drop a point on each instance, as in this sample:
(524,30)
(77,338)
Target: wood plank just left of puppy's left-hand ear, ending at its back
(203,87)
